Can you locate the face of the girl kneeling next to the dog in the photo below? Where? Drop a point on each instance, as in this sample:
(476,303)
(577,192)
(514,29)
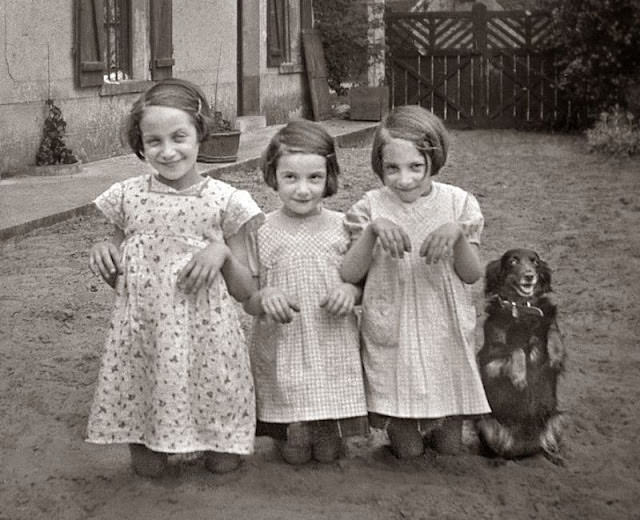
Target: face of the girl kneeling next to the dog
(405,171)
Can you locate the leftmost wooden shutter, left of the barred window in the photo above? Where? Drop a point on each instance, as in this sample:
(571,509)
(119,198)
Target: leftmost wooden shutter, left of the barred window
(90,43)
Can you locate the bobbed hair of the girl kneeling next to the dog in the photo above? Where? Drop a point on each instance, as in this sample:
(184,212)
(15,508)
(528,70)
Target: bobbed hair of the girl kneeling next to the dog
(417,125)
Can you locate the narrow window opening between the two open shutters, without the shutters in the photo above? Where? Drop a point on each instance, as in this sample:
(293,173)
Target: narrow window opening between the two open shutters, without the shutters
(118,52)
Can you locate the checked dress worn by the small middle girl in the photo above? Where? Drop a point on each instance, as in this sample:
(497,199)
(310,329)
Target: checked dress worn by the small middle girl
(309,369)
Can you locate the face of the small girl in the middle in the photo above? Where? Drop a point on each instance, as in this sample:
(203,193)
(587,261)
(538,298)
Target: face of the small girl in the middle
(301,179)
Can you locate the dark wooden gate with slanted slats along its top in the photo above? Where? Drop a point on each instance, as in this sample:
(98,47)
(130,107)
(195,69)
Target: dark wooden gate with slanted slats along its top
(479,68)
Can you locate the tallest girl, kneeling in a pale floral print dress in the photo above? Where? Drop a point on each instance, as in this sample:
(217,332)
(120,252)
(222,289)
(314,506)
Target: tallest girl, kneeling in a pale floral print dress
(175,374)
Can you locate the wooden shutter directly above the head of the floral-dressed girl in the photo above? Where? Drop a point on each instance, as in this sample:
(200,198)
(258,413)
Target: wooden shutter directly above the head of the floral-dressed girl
(161,39)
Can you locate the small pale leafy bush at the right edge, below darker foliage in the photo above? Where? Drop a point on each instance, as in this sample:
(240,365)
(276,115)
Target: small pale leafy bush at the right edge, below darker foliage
(615,133)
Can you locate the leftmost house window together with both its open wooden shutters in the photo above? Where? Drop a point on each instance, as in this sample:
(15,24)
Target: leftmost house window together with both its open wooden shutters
(107,49)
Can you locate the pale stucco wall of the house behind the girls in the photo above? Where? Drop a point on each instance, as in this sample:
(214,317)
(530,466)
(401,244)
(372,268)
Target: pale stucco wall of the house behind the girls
(37,62)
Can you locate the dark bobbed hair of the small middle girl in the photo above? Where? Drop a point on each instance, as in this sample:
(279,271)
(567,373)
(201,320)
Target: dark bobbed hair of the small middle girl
(301,136)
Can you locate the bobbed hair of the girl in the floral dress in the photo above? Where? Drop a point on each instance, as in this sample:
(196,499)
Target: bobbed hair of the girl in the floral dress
(174,93)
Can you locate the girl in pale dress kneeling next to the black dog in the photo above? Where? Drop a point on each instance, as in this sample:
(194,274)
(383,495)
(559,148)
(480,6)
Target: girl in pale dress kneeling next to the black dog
(416,241)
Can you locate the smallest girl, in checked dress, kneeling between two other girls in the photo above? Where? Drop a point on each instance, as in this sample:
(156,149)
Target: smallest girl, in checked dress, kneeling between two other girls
(304,347)
